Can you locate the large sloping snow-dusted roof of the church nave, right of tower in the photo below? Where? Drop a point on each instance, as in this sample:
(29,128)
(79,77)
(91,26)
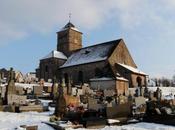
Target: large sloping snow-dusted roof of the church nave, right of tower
(95,53)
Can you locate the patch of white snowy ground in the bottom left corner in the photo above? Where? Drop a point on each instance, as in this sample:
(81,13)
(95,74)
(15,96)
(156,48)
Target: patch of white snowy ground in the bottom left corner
(10,121)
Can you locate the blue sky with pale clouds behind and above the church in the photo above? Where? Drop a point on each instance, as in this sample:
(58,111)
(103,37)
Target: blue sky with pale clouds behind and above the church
(28,30)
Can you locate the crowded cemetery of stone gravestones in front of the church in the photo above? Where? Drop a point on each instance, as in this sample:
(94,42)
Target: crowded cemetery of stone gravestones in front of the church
(93,105)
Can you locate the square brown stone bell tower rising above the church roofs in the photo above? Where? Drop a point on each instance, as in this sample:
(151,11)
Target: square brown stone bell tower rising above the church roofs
(69,39)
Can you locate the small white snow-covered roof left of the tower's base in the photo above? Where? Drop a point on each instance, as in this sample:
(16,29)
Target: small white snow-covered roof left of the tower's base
(55,54)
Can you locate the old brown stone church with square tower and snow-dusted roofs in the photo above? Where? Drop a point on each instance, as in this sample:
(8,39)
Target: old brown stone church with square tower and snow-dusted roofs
(72,61)
